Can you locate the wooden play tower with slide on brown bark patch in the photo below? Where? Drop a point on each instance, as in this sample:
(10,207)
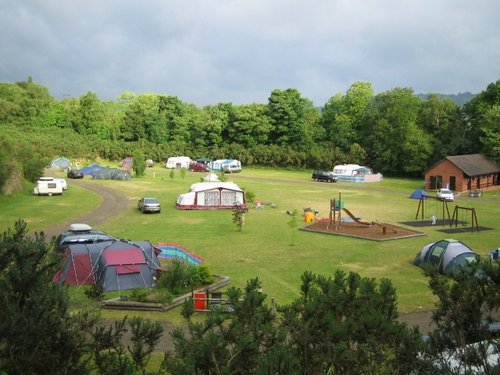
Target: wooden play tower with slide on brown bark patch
(352,226)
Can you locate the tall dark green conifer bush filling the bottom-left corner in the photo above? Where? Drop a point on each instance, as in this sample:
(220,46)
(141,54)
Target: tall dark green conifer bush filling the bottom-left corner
(38,334)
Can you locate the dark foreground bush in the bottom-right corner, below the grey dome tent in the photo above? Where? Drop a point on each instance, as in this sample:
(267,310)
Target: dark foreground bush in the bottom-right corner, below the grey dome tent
(465,308)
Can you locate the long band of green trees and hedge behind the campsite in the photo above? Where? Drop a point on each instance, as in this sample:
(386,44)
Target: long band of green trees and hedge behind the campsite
(395,132)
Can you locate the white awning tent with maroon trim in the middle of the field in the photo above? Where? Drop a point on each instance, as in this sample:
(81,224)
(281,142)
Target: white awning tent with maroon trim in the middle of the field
(211,196)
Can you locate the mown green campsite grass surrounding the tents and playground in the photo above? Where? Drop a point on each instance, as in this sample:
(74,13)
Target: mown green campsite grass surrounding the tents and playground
(268,247)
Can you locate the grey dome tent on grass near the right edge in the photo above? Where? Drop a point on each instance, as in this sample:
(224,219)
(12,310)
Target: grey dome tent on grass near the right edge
(448,255)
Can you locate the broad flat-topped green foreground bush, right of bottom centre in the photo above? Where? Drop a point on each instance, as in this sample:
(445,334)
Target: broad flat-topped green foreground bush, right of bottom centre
(347,325)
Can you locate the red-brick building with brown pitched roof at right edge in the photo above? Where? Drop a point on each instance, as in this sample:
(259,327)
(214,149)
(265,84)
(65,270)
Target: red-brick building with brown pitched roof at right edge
(463,173)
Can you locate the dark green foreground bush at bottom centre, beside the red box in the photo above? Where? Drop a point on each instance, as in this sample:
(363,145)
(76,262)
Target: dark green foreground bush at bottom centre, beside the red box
(246,341)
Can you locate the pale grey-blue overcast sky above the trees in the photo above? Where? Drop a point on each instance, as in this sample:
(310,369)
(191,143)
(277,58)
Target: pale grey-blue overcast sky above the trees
(239,51)
